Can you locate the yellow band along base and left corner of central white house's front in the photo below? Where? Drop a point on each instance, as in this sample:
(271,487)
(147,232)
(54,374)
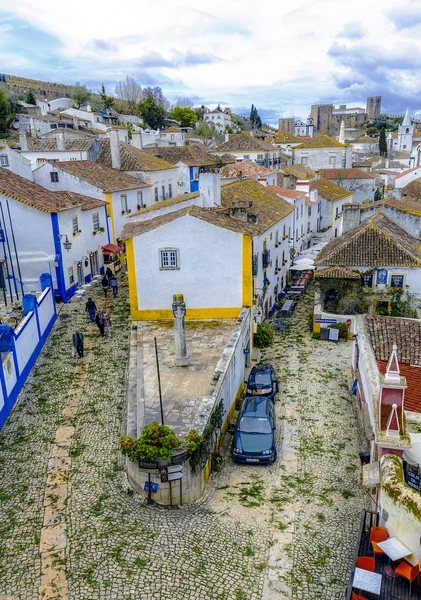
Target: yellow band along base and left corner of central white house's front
(166,314)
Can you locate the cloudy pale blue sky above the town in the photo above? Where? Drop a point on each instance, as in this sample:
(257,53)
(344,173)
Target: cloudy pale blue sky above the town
(280,55)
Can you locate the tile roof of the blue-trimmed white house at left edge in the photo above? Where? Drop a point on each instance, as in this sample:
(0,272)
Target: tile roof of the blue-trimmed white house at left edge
(34,195)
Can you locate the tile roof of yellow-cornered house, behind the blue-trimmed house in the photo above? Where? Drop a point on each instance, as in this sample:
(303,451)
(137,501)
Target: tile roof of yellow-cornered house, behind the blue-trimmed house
(104,178)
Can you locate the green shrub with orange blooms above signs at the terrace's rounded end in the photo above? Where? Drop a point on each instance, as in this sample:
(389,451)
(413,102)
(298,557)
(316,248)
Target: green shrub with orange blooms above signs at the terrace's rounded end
(156,441)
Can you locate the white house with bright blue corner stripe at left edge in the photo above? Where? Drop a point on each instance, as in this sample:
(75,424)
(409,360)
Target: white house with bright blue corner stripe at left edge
(37,223)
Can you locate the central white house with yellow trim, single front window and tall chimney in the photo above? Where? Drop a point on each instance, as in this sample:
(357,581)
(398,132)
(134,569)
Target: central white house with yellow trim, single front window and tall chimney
(220,260)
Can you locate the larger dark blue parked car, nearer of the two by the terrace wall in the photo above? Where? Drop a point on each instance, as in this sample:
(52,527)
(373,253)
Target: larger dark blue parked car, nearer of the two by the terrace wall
(254,436)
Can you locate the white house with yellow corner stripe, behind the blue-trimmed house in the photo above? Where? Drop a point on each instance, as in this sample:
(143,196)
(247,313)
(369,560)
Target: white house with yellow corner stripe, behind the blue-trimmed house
(121,193)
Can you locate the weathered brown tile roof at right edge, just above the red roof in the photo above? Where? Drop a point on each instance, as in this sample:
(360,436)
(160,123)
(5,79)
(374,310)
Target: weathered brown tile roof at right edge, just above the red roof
(405,333)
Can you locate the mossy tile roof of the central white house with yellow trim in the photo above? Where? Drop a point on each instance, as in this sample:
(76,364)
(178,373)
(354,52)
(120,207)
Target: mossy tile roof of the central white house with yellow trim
(266,206)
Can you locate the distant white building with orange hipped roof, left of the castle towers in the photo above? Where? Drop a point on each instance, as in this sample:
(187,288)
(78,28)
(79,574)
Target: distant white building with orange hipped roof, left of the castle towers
(323,152)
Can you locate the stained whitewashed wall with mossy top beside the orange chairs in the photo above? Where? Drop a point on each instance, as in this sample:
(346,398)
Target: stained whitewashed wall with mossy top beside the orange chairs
(400,506)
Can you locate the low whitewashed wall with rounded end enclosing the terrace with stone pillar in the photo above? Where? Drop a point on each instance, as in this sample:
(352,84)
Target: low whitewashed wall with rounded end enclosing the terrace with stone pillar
(229,377)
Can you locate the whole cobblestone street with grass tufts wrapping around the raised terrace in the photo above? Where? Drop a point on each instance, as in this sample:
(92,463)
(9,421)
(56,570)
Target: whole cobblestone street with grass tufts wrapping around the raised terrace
(71,528)
